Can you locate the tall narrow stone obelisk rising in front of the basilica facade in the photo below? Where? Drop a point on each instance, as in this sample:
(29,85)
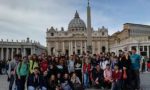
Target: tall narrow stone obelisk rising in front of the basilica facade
(89,29)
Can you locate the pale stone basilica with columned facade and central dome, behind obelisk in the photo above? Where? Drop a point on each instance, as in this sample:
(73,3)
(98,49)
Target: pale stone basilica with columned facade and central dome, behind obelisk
(74,40)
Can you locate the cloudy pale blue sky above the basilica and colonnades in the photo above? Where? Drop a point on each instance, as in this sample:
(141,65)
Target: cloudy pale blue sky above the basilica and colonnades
(30,18)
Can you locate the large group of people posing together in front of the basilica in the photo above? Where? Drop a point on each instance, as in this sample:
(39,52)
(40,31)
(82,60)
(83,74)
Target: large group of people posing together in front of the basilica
(103,71)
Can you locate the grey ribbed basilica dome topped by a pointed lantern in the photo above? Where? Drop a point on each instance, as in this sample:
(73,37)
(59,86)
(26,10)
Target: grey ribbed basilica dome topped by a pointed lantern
(76,24)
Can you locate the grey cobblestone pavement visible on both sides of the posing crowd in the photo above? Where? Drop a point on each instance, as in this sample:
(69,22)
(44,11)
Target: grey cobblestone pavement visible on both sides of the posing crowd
(145,82)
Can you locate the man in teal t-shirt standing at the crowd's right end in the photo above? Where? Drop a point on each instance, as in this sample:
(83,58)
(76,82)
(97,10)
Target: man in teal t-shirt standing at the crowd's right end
(135,66)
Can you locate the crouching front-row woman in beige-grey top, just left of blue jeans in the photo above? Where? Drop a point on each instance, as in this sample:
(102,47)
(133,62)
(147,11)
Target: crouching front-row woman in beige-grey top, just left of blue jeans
(76,82)
